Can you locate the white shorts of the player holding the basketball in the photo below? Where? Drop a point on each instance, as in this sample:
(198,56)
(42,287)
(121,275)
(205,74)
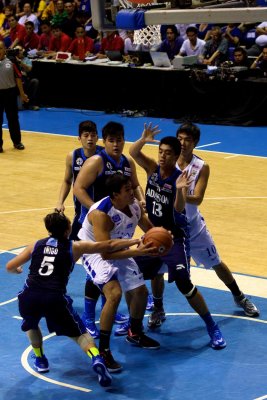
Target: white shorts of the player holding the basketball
(101,271)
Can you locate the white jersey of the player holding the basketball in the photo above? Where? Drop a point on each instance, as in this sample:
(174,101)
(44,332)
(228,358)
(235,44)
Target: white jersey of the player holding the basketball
(124,226)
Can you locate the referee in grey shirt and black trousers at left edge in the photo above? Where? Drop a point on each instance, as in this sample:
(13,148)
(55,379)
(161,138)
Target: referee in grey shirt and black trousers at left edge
(10,80)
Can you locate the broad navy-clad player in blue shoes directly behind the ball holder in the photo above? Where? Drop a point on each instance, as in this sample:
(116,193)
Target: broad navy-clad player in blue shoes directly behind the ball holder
(90,187)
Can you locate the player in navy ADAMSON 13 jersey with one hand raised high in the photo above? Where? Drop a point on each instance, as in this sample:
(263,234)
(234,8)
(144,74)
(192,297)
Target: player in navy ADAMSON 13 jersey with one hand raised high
(165,202)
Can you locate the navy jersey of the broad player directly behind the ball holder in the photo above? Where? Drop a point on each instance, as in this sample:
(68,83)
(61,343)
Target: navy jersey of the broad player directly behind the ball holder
(98,191)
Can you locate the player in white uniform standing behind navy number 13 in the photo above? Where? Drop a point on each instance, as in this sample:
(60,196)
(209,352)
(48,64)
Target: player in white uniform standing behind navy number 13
(202,247)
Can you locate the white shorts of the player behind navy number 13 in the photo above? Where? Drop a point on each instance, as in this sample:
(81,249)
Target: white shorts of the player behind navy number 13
(203,250)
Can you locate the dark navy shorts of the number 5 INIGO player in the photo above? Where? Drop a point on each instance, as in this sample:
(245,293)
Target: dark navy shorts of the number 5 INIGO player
(56,308)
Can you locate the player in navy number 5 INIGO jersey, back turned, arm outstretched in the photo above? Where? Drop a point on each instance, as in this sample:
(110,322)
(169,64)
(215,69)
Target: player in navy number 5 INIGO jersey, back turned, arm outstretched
(44,294)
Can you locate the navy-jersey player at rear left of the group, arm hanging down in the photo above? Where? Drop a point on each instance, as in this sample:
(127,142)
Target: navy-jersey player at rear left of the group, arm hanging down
(74,161)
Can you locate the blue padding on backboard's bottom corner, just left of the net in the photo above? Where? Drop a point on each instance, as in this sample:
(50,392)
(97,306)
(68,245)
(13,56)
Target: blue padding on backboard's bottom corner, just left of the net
(130,19)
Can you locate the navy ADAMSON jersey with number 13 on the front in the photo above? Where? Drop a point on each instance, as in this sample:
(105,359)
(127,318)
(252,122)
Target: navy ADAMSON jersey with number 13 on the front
(160,196)
